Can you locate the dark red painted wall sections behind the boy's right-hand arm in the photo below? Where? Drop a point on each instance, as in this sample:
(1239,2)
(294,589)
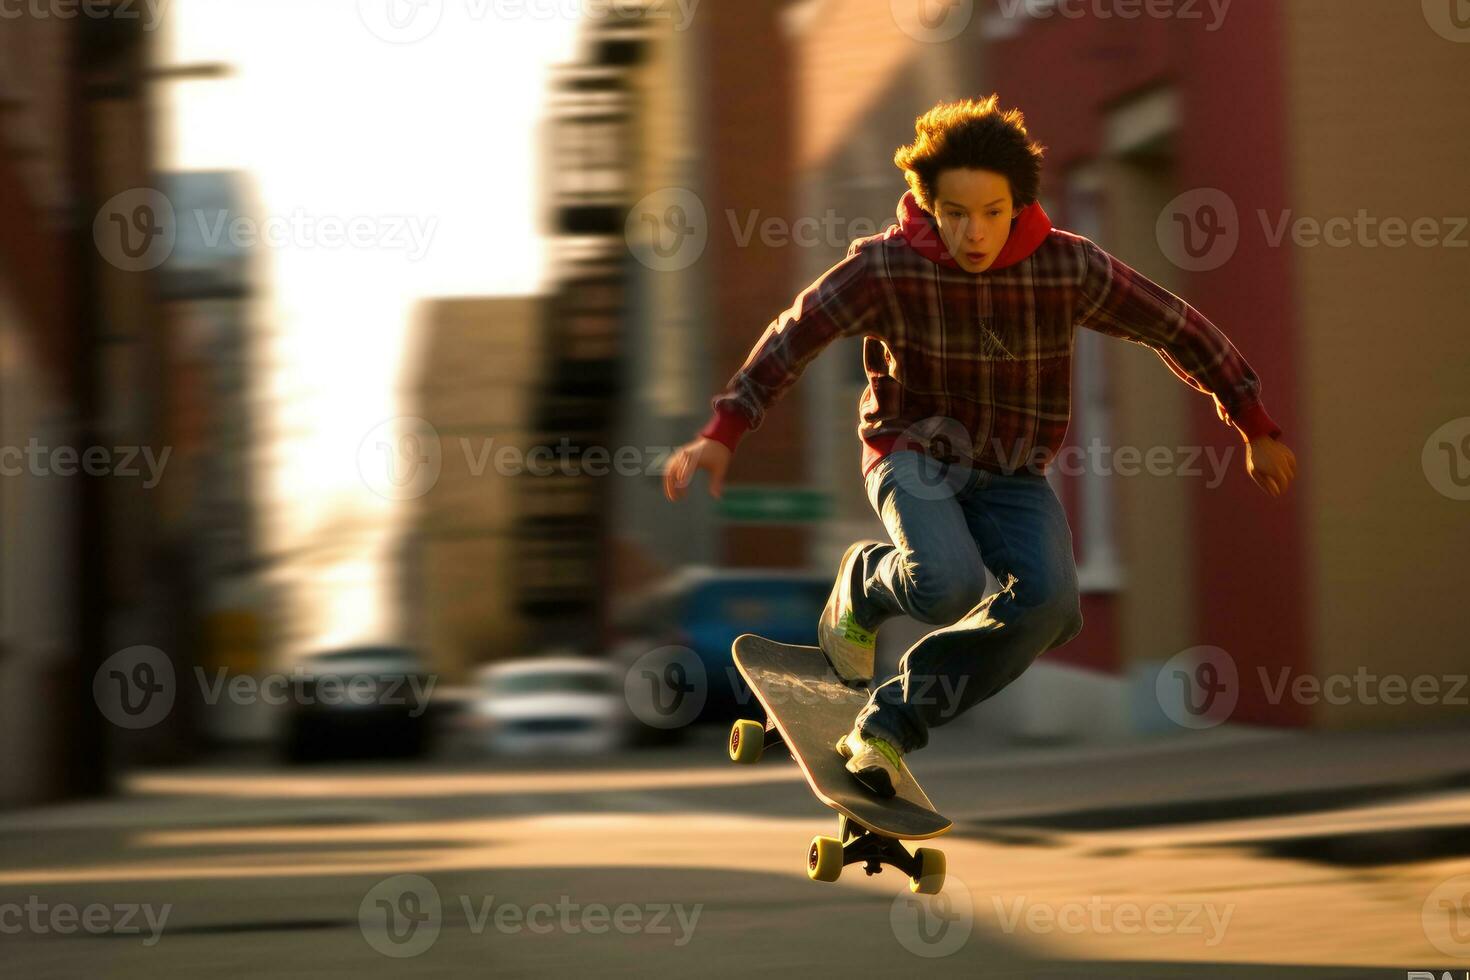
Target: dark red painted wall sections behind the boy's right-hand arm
(1066,74)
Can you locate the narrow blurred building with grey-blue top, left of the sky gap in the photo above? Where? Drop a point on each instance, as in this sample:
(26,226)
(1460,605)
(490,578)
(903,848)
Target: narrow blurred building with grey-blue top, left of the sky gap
(209,509)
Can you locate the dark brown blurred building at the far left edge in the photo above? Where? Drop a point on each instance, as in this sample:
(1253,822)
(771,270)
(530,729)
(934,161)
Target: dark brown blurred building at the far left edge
(80,342)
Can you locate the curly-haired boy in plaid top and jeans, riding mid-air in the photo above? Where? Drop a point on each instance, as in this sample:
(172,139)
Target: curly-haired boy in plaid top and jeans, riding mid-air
(968,311)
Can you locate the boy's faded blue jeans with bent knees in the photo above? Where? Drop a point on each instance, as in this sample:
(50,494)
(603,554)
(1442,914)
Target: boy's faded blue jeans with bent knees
(944,522)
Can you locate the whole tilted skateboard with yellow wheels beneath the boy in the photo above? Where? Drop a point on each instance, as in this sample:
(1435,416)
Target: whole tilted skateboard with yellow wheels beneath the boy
(809,710)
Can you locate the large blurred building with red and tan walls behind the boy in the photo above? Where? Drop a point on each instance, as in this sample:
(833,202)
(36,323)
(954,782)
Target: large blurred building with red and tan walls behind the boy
(1303,109)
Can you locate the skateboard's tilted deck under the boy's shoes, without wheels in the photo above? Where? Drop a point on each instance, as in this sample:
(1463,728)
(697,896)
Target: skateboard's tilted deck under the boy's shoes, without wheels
(812,709)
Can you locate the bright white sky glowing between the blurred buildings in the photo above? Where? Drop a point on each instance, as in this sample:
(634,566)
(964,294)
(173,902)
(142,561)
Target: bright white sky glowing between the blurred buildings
(431,149)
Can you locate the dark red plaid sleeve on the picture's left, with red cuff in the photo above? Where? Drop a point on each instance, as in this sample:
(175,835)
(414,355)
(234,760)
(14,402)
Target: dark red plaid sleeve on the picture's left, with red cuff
(842,303)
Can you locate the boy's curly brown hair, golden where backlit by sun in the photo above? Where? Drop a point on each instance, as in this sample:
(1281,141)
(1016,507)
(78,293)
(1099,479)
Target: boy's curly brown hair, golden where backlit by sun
(972,133)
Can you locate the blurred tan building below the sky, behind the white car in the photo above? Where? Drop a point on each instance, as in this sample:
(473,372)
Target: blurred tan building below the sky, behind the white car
(478,378)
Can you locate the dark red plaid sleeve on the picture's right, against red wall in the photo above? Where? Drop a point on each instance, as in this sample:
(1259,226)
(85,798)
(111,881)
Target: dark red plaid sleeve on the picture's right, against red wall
(1121,302)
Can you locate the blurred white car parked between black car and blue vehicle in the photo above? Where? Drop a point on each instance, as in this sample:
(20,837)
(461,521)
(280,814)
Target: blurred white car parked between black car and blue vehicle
(551,705)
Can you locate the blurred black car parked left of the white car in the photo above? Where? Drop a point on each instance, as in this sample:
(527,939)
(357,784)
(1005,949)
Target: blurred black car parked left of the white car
(359,703)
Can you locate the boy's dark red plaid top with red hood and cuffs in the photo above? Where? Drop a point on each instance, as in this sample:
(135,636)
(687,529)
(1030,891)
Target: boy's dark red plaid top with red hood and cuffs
(978,367)
